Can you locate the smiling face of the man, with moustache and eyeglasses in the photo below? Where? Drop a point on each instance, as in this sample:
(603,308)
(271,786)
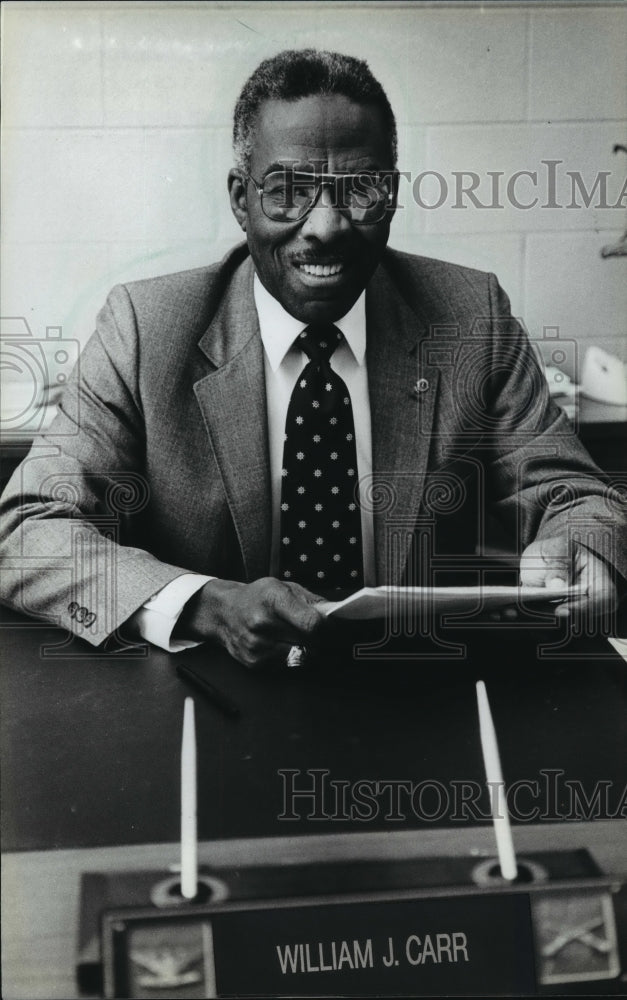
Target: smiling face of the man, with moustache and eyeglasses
(316,263)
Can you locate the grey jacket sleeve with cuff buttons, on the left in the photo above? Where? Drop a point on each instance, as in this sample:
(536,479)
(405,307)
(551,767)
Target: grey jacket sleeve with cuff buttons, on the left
(65,511)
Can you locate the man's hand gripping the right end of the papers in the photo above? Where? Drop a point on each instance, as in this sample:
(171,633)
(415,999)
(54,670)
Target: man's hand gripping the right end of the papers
(554,562)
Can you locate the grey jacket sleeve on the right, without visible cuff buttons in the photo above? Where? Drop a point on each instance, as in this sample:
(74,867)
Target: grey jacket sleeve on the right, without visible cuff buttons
(541,479)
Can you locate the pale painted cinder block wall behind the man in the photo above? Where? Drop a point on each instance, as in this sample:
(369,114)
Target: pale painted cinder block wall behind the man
(117,143)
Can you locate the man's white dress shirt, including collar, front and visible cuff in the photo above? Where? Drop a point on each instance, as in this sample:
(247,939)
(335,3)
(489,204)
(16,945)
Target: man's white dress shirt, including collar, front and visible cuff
(283,363)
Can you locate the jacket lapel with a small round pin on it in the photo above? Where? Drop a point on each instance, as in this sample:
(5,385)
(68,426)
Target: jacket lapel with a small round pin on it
(402,412)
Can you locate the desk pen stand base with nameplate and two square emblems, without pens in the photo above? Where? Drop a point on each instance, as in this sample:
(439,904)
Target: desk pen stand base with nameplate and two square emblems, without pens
(423,926)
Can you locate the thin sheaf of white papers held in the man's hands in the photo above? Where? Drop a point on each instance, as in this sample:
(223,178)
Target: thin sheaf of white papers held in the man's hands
(379,602)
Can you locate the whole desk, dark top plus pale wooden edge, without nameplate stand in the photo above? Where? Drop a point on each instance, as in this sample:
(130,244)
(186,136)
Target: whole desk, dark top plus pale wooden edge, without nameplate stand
(91,744)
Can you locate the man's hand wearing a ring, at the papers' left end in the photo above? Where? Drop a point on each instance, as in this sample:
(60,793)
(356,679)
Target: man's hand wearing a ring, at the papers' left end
(256,622)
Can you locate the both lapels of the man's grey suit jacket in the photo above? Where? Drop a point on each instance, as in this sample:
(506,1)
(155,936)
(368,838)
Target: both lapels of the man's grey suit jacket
(233,405)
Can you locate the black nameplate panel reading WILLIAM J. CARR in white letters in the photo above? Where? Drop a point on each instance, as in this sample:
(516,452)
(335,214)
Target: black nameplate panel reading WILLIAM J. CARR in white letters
(418,947)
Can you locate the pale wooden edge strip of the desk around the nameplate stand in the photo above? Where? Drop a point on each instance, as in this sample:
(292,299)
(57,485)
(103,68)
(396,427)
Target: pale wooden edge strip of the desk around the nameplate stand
(40,889)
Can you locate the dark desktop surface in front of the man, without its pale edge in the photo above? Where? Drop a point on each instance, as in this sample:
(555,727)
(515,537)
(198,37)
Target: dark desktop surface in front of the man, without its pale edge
(91,744)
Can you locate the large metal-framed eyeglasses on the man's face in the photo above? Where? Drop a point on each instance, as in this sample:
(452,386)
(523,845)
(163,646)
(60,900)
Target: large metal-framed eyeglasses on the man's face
(287,196)
